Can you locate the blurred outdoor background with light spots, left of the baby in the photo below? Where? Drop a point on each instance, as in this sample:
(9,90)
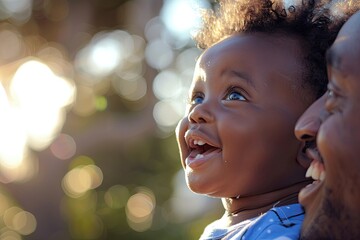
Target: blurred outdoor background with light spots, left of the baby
(90,94)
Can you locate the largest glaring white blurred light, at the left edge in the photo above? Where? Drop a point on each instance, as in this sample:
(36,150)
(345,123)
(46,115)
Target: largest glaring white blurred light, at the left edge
(33,110)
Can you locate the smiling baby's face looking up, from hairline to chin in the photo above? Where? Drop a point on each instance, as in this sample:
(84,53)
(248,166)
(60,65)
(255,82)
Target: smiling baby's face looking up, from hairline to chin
(237,137)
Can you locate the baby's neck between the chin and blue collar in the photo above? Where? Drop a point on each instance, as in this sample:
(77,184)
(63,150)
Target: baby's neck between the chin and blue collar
(242,208)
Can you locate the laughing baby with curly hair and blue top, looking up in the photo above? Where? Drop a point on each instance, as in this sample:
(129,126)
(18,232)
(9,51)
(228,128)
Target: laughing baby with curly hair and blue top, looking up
(263,65)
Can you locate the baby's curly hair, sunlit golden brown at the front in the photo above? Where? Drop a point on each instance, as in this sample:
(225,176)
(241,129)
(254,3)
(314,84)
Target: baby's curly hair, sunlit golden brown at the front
(307,20)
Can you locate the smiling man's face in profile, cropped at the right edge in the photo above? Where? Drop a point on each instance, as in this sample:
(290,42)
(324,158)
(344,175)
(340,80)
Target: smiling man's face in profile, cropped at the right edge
(332,202)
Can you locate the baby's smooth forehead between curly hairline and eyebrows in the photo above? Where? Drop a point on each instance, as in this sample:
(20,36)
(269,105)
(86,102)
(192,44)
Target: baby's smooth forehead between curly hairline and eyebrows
(254,52)
